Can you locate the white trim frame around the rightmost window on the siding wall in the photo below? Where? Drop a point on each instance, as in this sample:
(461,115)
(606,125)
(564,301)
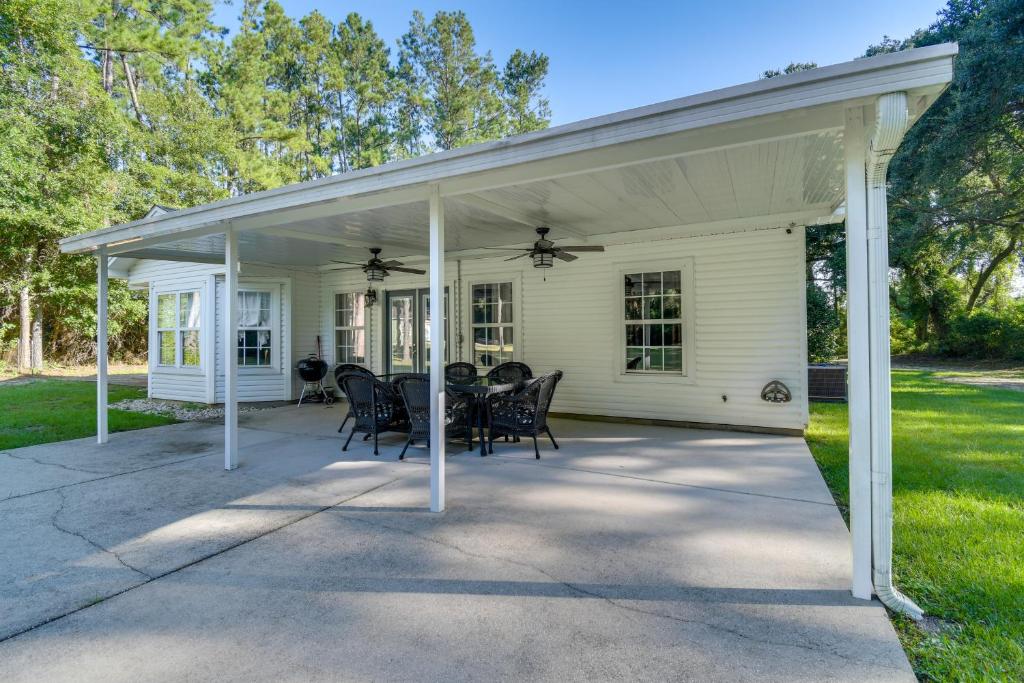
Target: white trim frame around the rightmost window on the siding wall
(686,266)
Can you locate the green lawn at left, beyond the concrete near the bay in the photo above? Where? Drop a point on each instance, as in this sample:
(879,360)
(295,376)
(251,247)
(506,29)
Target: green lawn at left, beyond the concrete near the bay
(45,411)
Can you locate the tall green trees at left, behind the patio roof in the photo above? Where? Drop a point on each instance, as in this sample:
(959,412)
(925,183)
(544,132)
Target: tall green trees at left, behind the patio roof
(109,107)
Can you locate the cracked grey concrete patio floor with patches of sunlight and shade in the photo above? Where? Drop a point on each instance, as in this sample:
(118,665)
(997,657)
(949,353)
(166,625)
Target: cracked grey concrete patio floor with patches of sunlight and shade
(631,553)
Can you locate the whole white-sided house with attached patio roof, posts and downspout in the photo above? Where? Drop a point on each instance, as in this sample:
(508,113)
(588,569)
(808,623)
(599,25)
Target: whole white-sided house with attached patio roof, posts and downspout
(689,298)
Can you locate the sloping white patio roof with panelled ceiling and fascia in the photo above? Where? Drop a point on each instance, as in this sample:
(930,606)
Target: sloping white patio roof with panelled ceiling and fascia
(771,152)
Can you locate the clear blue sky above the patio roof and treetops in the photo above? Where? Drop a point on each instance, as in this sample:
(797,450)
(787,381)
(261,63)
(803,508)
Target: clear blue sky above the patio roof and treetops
(608,57)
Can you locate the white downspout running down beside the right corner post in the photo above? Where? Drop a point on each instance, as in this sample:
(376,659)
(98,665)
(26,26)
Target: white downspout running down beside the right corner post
(891,122)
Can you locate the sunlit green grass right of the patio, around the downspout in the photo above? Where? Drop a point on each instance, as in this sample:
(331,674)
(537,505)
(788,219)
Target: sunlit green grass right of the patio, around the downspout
(959,528)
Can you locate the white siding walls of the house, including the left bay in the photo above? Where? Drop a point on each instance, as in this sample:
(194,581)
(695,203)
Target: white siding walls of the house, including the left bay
(742,322)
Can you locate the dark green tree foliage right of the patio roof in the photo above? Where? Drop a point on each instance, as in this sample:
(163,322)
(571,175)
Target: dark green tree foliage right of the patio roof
(957,195)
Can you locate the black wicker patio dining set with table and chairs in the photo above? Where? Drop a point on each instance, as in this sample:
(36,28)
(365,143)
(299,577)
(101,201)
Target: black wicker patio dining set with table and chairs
(506,403)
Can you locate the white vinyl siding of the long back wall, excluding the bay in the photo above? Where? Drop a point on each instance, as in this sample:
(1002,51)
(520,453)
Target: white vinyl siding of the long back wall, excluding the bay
(743,327)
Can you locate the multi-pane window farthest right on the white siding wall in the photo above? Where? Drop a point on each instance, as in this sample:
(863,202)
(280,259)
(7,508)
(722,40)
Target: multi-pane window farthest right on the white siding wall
(654,322)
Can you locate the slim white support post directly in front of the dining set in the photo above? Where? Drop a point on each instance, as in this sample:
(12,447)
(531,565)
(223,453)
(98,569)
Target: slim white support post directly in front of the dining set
(437,352)
